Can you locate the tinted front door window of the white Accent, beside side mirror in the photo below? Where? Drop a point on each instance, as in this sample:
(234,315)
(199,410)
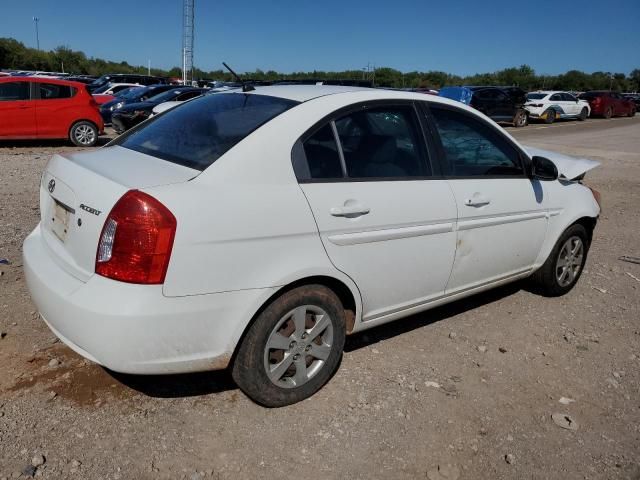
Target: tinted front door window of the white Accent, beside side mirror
(472,148)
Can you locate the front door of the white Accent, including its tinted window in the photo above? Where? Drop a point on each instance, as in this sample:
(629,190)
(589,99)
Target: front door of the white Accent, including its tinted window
(501,212)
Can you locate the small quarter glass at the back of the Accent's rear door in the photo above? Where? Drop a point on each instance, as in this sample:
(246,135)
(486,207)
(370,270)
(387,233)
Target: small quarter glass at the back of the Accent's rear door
(322,154)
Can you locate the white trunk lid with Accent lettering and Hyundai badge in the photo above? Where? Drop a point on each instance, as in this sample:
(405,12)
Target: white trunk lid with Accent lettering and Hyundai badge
(78,191)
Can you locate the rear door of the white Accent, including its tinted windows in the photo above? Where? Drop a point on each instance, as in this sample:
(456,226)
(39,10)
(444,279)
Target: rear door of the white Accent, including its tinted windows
(384,218)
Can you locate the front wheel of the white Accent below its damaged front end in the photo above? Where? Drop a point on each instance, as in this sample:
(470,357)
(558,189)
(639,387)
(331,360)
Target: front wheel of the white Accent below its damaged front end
(563,268)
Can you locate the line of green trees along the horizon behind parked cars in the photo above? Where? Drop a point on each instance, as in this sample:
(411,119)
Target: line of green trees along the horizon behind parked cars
(15,55)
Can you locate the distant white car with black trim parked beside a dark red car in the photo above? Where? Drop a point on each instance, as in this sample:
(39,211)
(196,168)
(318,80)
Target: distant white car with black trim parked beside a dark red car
(552,105)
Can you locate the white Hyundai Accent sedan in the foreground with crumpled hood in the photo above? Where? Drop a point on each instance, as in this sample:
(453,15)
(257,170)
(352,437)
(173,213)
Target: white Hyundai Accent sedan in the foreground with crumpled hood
(257,229)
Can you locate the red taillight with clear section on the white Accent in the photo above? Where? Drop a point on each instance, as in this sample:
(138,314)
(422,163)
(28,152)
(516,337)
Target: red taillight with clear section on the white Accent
(136,240)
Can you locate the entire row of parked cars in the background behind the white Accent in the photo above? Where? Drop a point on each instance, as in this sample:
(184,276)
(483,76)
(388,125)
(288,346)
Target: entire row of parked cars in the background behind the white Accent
(125,100)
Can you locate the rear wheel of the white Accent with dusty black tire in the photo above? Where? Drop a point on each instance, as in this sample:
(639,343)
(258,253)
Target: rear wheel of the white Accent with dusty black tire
(249,369)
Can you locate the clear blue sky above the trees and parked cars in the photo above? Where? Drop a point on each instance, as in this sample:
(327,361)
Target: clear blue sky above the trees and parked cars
(461,37)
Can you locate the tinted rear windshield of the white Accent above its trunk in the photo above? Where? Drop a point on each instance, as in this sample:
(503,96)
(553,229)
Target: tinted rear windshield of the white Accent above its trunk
(197,133)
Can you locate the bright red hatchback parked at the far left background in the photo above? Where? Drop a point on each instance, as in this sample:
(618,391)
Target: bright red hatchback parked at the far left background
(38,107)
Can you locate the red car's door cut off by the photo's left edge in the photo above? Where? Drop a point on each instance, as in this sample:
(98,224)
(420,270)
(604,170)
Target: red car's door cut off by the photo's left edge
(17,110)
